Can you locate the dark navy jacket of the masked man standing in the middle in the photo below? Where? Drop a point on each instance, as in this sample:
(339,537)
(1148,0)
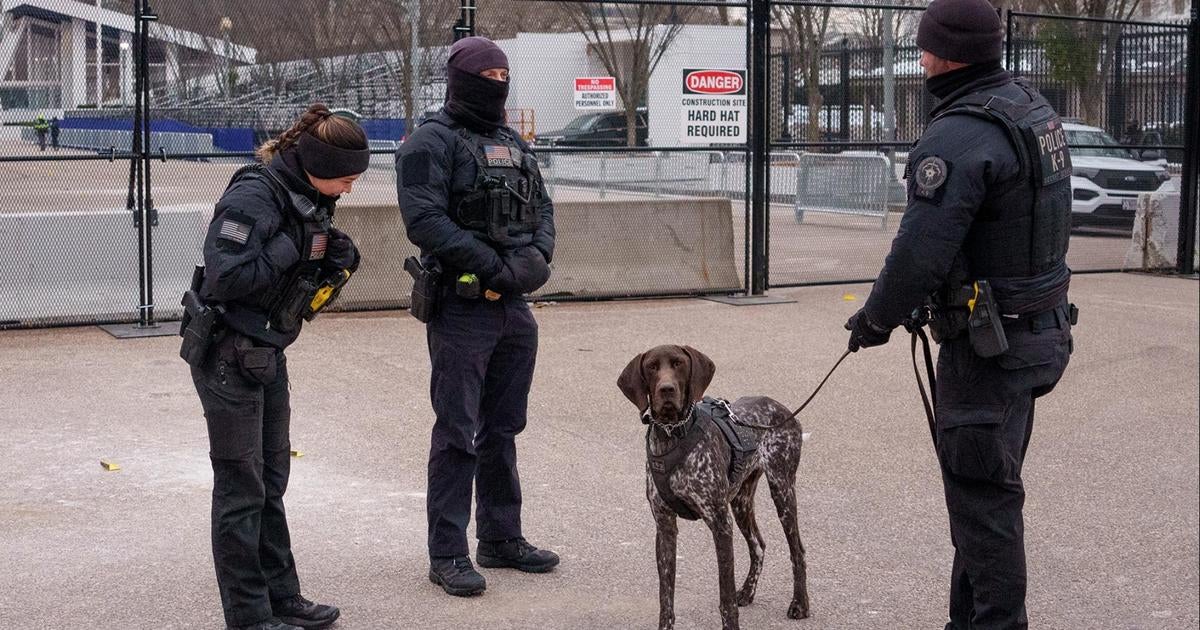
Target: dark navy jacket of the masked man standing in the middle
(433,167)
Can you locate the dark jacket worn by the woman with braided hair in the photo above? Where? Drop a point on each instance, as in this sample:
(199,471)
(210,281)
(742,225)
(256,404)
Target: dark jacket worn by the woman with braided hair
(251,247)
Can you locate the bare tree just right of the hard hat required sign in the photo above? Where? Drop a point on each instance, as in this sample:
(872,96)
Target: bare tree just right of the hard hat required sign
(805,37)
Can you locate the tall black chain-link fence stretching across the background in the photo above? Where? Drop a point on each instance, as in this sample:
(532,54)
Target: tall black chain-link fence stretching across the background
(647,207)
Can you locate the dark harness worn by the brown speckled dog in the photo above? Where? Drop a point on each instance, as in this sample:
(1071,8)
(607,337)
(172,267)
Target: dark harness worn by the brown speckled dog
(743,442)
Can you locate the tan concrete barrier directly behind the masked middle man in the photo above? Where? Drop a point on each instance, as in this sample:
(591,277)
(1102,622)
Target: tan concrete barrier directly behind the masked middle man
(605,249)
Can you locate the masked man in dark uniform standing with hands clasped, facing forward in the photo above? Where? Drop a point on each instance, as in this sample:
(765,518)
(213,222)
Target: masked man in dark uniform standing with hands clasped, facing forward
(473,201)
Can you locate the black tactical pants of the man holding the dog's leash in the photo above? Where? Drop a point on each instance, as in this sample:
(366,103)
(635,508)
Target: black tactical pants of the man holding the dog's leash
(985,423)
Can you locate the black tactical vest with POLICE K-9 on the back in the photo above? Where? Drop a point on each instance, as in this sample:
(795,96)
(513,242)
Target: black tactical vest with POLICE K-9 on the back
(1023,231)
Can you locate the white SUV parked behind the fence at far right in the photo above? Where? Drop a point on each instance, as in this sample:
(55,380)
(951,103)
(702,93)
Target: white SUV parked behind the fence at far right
(1107,182)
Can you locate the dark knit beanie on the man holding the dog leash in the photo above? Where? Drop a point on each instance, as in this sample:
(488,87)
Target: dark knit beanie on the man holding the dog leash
(968,32)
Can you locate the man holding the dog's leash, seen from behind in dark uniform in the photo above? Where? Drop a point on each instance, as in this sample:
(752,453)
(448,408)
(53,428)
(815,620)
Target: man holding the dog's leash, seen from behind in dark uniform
(989,200)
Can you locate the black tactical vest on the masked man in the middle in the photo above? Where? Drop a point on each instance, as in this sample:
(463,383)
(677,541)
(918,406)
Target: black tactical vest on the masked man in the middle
(508,191)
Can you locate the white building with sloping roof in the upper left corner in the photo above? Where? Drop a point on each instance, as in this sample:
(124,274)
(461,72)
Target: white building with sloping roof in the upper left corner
(64,55)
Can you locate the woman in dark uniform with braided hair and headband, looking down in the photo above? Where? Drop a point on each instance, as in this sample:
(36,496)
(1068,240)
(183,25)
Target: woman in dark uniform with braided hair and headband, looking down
(269,253)
